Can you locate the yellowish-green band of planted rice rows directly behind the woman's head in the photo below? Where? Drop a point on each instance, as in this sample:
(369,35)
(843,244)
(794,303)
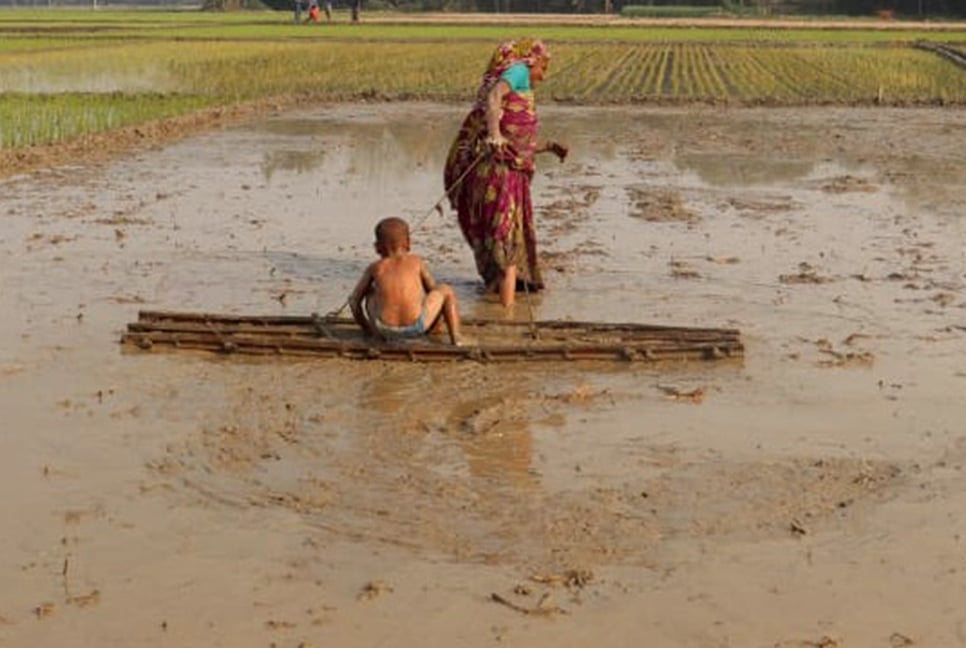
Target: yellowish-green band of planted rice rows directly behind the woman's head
(399,69)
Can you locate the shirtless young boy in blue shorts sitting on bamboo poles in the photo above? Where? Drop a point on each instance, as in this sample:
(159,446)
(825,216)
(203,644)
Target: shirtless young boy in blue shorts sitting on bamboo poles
(401,298)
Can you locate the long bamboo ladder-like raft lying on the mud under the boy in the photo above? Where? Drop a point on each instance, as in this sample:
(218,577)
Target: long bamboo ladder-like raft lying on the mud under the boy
(497,341)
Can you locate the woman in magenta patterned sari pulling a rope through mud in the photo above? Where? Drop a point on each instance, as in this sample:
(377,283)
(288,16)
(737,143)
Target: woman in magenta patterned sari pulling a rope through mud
(491,164)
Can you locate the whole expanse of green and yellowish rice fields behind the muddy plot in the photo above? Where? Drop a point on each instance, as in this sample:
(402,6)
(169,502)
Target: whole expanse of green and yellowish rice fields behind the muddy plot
(66,74)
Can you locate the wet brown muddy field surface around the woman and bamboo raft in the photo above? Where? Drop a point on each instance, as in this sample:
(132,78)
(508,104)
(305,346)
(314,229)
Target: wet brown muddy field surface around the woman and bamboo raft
(812,495)
